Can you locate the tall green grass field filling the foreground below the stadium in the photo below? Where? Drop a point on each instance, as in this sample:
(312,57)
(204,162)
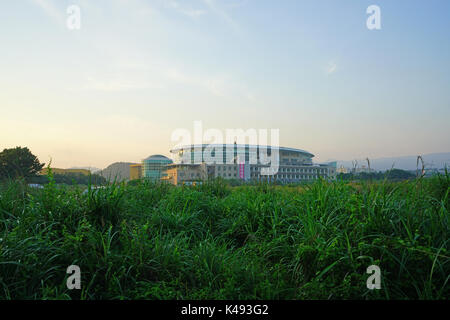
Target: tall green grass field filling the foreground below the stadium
(156,241)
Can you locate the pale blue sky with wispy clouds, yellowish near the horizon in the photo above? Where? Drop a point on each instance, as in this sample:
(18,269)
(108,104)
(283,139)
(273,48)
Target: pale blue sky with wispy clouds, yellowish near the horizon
(137,70)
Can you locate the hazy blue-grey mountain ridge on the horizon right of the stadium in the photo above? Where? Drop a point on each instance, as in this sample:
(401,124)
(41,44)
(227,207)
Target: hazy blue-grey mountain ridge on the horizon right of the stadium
(431,160)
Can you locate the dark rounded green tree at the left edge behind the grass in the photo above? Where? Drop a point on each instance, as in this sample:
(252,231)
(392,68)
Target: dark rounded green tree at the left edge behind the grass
(19,162)
